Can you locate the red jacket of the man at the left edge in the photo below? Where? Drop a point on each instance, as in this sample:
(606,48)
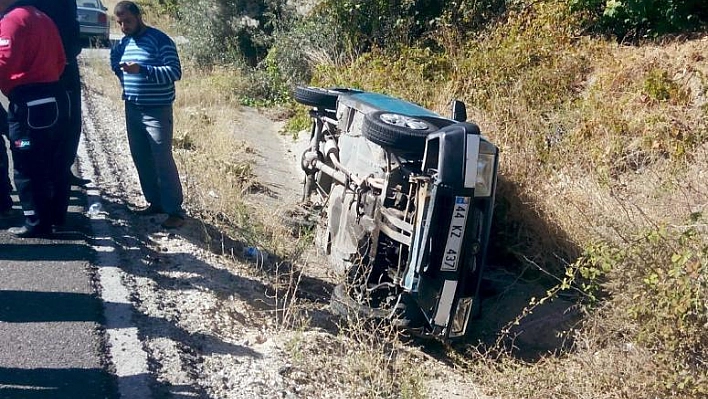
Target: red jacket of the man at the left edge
(30,49)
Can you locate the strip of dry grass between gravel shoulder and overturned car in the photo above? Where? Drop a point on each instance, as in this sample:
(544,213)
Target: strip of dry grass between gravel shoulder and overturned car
(359,361)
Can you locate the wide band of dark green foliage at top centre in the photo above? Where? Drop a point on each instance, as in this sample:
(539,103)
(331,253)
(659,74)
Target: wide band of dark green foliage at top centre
(244,31)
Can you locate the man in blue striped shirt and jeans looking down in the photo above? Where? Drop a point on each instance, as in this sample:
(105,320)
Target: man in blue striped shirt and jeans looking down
(147,65)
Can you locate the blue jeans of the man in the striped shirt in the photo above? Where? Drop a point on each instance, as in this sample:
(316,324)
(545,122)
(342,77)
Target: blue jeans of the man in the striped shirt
(150,139)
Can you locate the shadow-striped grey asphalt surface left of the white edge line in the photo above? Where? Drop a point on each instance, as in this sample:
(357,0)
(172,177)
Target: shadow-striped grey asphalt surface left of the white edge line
(51,340)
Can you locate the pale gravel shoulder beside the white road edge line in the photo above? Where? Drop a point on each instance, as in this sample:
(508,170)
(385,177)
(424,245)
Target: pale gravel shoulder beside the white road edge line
(205,326)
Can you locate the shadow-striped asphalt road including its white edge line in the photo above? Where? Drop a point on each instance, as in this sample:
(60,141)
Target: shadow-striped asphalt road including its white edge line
(56,333)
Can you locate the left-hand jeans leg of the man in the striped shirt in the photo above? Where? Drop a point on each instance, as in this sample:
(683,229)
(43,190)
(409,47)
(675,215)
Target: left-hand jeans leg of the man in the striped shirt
(140,149)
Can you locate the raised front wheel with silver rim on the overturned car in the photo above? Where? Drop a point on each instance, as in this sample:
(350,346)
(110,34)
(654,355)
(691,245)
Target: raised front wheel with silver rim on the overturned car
(396,131)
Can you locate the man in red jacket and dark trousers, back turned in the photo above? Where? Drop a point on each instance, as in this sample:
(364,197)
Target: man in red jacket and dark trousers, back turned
(31,62)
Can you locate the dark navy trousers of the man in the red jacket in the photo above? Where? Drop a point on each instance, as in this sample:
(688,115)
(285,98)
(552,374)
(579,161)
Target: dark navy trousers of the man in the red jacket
(37,120)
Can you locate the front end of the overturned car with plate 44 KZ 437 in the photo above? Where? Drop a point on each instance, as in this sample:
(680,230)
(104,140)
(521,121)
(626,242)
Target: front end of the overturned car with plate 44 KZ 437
(450,241)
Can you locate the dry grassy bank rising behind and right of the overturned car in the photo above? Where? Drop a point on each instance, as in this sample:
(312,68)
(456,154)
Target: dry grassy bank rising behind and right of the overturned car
(600,144)
